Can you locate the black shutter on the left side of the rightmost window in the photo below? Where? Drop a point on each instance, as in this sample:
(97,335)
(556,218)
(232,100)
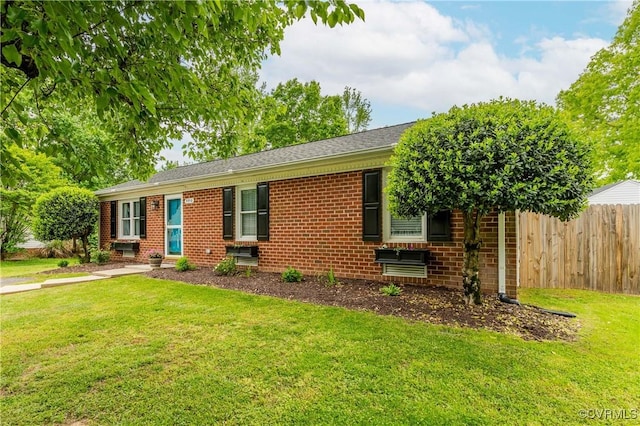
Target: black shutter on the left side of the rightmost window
(371,205)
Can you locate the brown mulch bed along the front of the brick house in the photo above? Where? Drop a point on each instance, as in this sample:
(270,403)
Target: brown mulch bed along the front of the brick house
(418,303)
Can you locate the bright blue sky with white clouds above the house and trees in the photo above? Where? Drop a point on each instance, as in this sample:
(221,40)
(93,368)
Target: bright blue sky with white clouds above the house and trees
(413,58)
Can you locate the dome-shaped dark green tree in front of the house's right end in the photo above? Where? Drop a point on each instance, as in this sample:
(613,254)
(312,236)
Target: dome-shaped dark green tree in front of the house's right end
(503,155)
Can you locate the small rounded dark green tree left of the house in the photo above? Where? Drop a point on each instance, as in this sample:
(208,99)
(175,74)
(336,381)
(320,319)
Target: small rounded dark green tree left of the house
(66,213)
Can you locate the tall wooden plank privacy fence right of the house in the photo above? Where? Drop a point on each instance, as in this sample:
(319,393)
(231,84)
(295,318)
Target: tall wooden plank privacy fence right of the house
(600,250)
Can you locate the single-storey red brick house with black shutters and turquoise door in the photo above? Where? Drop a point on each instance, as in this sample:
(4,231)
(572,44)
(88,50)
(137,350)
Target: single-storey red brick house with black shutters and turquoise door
(314,206)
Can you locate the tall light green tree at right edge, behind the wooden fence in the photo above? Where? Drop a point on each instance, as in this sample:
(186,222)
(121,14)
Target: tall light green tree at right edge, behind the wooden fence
(604,103)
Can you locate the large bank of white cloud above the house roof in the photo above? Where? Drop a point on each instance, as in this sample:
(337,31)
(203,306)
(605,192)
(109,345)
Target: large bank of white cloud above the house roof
(408,54)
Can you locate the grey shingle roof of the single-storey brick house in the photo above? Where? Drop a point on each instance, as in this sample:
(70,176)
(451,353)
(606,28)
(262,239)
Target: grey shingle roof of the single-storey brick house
(341,145)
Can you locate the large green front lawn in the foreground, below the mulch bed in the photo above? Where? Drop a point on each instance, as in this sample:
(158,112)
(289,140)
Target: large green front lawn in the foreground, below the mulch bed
(135,350)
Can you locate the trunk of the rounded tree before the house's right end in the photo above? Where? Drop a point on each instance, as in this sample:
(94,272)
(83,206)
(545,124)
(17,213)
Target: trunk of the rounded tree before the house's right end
(471,265)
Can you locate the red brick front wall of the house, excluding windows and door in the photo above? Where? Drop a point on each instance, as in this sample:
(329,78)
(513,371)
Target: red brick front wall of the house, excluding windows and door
(315,224)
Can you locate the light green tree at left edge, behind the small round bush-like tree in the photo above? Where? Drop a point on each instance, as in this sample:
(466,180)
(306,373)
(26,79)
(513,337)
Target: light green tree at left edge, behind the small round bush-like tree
(34,175)
